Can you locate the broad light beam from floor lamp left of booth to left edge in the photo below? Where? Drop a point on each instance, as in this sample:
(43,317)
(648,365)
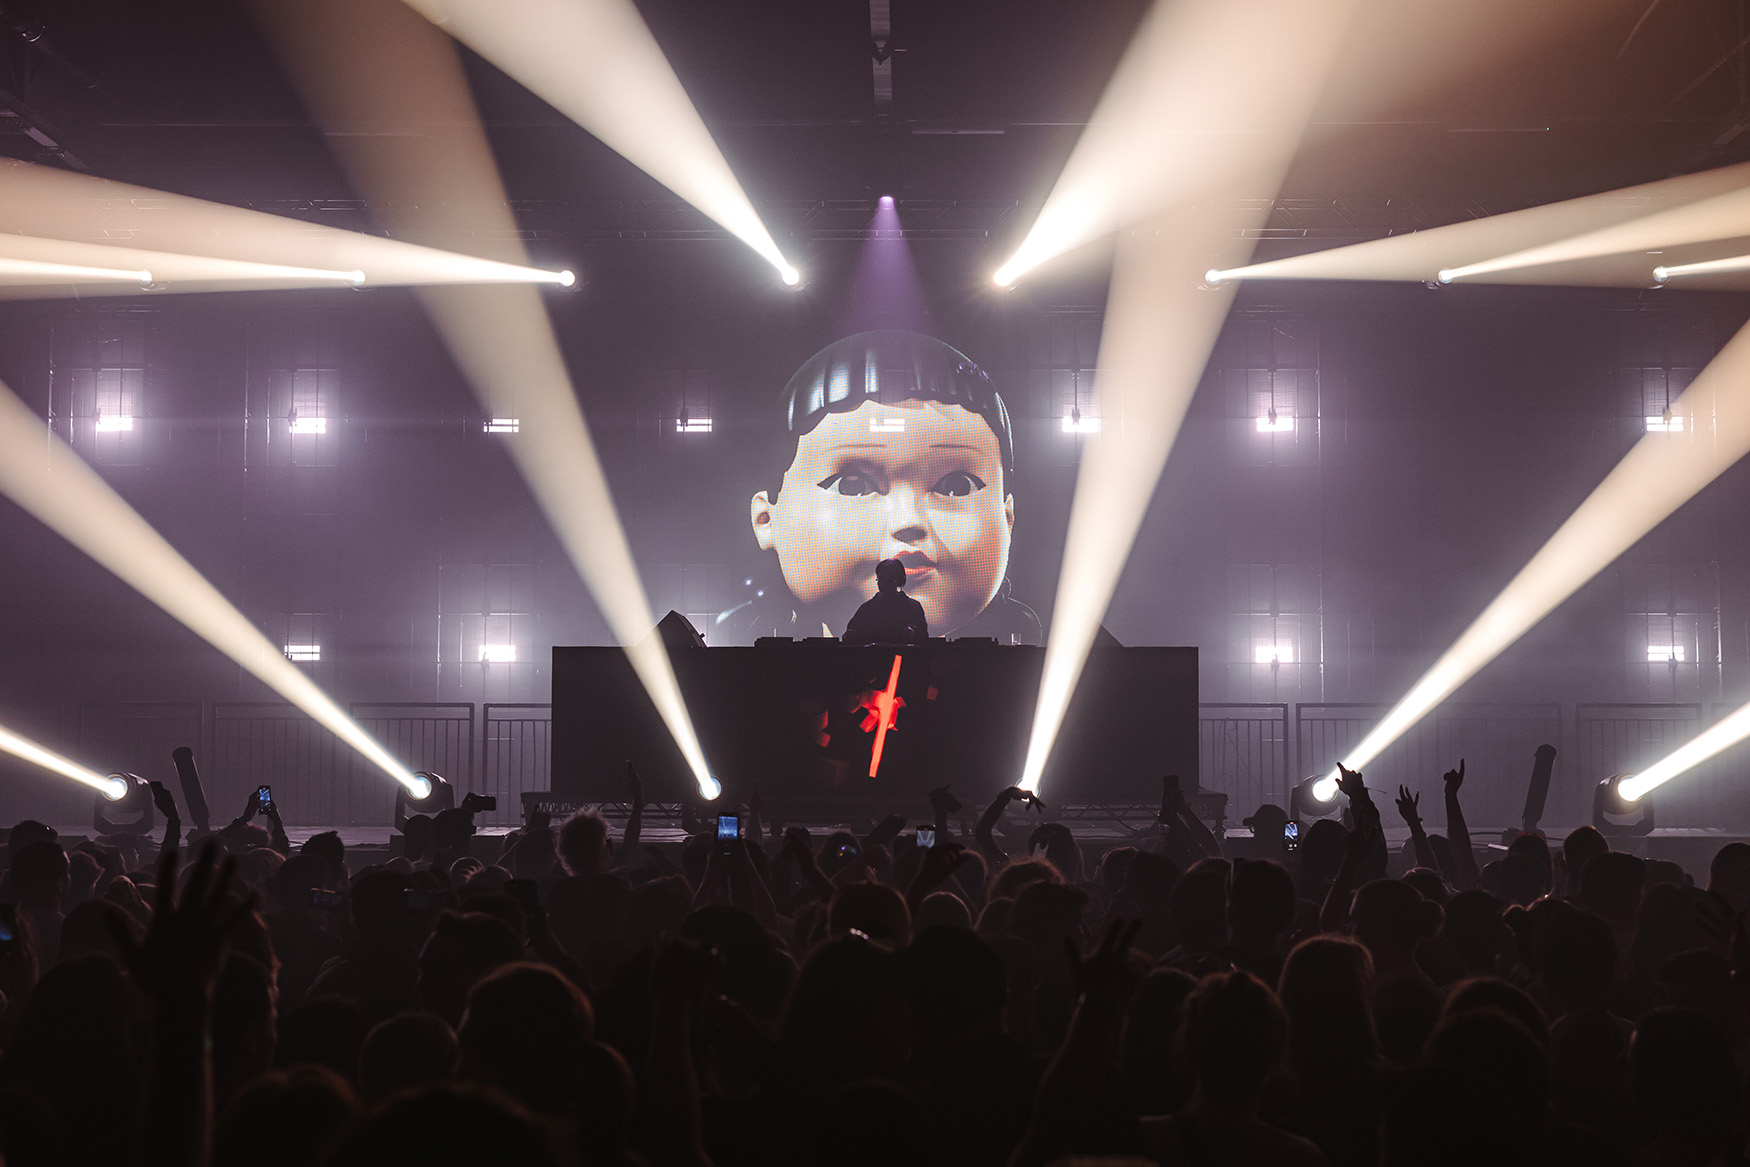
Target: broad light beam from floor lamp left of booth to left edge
(46,479)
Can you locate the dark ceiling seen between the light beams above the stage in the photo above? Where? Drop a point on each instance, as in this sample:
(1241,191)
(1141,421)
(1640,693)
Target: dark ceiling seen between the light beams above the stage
(962,111)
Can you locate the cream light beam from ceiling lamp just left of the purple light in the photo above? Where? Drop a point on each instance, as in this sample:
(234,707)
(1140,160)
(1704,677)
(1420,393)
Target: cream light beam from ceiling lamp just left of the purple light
(598,64)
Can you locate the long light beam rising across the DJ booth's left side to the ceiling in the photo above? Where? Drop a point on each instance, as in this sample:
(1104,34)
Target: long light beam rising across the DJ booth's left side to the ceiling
(389,90)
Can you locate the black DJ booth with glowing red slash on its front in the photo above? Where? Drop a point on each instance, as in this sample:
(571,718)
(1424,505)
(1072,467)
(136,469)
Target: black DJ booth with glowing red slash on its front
(825,729)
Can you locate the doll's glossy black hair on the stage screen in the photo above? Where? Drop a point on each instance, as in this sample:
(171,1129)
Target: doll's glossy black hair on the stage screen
(890,367)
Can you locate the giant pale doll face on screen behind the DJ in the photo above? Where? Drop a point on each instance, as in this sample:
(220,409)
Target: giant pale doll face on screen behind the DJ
(920,482)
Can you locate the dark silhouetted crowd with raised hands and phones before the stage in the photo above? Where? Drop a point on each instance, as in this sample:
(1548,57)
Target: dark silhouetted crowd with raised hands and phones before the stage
(781,1000)
